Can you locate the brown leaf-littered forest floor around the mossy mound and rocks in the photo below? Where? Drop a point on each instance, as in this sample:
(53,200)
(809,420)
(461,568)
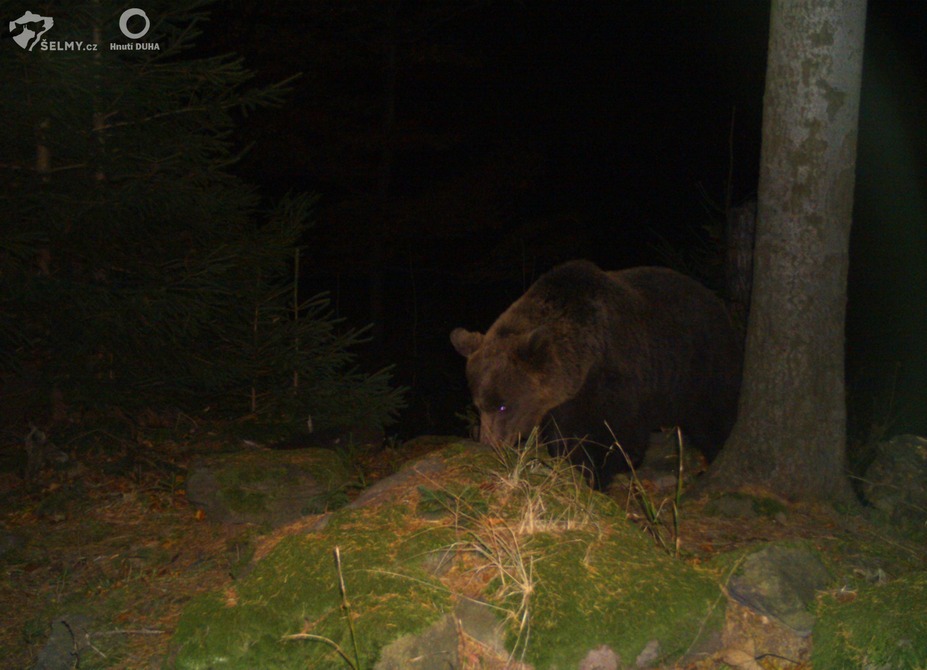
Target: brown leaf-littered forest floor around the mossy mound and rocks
(111,538)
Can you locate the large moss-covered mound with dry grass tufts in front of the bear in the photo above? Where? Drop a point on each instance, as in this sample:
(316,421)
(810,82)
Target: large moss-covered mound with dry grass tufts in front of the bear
(560,565)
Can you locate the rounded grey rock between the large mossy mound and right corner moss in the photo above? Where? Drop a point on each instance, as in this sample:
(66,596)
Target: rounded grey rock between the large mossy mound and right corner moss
(781,582)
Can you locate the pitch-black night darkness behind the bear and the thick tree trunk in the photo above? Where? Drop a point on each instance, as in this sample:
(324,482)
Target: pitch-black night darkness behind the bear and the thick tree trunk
(465,148)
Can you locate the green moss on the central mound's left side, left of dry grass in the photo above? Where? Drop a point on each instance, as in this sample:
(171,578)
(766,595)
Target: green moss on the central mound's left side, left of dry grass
(295,589)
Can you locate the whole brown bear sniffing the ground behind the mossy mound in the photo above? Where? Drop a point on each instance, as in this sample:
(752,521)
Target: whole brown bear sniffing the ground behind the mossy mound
(596,357)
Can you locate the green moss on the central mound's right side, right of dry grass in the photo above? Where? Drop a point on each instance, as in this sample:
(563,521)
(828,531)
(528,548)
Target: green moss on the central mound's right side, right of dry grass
(613,589)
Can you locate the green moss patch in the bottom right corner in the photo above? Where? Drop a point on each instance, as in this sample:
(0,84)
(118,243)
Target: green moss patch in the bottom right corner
(885,626)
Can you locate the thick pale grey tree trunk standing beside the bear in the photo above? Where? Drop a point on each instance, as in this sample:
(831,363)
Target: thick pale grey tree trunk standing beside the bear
(790,436)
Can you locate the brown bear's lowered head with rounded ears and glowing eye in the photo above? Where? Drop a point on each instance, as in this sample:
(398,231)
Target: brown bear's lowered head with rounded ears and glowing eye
(512,377)
